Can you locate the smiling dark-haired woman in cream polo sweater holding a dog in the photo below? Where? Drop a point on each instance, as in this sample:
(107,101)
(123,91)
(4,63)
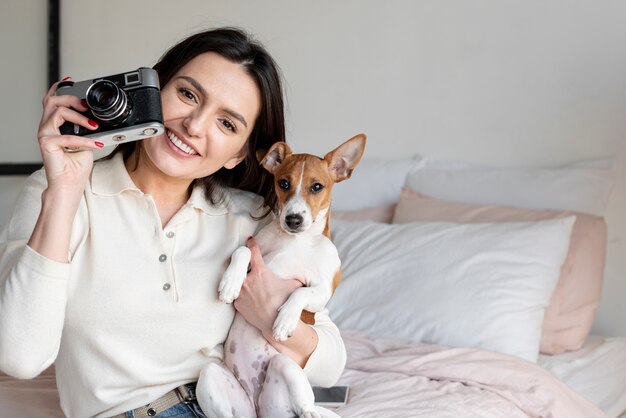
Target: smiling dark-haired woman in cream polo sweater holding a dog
(110,270)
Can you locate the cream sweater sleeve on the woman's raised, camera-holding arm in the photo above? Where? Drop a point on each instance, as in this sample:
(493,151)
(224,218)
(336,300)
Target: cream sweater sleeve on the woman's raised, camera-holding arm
(33,292)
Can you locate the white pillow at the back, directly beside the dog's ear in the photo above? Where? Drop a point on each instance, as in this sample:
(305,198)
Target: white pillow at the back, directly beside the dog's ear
(375,182)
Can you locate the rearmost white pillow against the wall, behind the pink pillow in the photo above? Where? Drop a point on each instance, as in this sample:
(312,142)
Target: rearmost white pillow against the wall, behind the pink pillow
(583,186)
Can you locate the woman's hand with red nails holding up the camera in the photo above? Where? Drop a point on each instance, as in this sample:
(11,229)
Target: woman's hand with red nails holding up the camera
(64,168)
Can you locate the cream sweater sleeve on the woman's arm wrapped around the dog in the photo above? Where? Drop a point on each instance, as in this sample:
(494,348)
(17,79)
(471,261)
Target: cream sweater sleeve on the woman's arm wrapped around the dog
(326,363)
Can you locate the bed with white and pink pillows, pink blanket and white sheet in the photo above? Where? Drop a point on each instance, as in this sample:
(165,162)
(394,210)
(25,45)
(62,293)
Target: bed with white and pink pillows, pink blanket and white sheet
(467,291)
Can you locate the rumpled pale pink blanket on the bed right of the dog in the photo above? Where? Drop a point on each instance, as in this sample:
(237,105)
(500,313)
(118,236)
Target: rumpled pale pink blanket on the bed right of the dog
(390,378)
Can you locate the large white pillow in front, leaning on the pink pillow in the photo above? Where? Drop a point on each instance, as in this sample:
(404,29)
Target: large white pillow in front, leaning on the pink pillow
(463,285)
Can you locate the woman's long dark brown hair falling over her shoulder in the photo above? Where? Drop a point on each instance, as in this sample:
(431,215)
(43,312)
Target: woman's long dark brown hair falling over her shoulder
(238,47)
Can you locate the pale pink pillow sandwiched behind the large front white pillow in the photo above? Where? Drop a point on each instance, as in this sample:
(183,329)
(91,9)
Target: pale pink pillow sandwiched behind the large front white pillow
(572,308)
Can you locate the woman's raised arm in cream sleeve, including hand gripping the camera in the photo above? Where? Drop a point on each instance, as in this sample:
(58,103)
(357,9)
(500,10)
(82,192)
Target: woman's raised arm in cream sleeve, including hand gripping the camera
(34,246)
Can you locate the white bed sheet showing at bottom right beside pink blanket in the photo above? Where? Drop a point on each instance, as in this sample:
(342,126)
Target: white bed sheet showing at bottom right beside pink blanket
(597,371)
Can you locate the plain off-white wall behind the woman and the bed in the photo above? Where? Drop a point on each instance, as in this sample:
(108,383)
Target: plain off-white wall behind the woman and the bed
(501,82)
